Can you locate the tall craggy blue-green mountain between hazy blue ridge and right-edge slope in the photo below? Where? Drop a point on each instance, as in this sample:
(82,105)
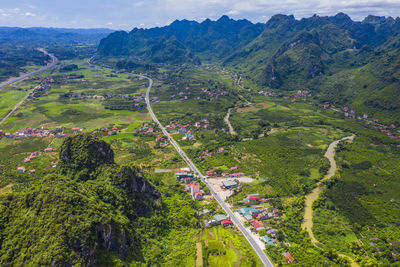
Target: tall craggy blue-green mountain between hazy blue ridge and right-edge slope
(290,53)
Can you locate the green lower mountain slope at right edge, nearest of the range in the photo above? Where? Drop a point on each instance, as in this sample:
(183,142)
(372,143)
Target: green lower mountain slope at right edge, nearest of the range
(370,88)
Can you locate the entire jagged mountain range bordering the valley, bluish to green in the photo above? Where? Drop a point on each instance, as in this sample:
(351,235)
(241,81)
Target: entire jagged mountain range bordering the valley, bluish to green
(318,53)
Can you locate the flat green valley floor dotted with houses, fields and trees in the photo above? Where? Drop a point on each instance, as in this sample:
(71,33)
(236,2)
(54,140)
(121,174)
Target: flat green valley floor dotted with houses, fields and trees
(288,153)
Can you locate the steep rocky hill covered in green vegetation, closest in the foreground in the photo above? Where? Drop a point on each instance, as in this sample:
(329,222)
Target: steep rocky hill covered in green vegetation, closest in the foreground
(82,214)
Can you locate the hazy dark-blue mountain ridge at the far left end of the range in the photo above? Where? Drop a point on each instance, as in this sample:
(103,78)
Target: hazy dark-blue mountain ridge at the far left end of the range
(182,41)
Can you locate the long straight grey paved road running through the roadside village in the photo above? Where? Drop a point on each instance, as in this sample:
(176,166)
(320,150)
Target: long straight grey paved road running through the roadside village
(263,257)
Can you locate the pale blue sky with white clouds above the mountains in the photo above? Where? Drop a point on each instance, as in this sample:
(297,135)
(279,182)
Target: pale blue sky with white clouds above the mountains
(127,14)
